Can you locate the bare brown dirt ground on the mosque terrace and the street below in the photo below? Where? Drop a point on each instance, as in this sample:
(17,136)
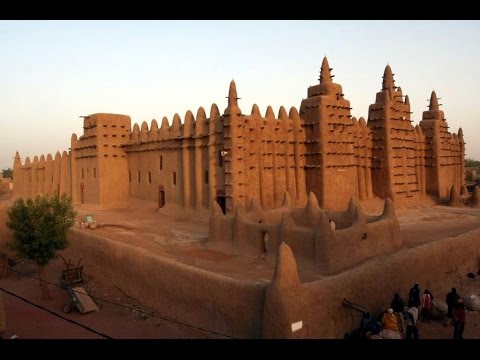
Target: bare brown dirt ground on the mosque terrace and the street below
(170,235)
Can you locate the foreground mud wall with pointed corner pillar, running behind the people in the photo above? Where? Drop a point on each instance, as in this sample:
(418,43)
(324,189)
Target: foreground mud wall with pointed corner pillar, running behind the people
(437,265)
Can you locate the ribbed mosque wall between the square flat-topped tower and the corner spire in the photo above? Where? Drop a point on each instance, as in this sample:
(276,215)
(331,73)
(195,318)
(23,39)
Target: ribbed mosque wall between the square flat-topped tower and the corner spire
(176,159)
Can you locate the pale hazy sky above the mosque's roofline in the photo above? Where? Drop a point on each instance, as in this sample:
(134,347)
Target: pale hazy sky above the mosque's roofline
(52,72)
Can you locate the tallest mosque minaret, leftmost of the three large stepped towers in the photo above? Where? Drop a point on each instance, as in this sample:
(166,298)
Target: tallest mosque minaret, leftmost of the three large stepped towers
(326,120)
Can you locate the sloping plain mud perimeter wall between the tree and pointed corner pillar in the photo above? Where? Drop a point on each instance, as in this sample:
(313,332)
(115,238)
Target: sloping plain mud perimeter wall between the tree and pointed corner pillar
(174,290)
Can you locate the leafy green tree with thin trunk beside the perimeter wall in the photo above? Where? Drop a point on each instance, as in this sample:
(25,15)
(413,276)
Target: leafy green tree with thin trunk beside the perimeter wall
(40,228)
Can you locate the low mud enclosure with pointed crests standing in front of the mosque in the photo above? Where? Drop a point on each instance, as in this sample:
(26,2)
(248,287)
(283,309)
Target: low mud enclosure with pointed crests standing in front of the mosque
(308,232)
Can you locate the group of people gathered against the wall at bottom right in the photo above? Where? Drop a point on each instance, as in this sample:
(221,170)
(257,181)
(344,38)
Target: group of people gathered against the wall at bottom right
(403,319)
